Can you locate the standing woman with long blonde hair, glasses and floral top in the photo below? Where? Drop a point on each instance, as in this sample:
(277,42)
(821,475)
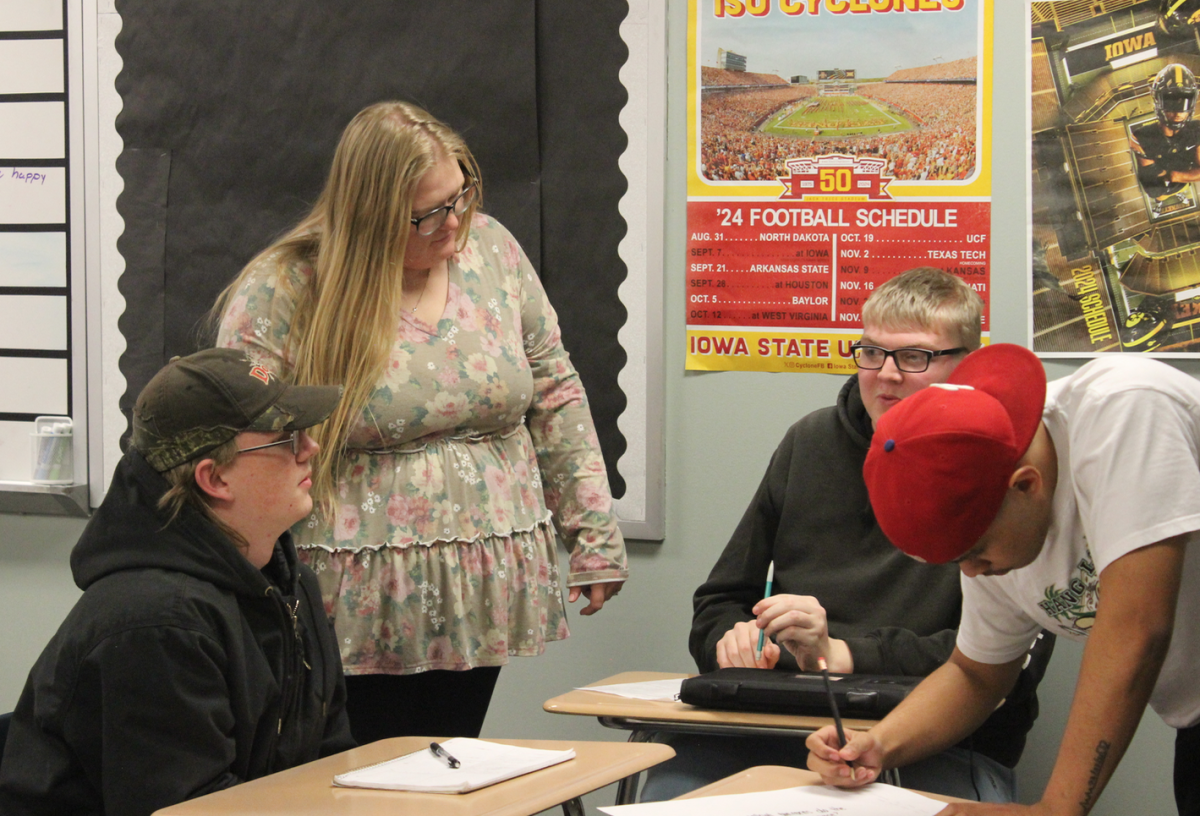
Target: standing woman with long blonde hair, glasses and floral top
(464,439)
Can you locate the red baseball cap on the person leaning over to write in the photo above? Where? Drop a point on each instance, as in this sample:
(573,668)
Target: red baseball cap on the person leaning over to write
(940,461)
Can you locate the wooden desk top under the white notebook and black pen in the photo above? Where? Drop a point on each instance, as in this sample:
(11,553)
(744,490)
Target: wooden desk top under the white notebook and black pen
(309,790)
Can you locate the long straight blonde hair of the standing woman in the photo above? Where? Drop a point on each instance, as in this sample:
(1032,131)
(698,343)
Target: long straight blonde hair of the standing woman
(356,236)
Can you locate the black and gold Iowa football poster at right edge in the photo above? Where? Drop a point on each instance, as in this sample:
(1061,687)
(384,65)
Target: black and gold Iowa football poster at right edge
(1115,159)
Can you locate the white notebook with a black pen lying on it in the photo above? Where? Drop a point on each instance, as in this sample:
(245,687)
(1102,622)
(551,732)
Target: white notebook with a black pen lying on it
(483,764)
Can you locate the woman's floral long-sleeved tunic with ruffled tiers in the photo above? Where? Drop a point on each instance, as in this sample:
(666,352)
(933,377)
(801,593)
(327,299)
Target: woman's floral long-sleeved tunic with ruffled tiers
(477,441)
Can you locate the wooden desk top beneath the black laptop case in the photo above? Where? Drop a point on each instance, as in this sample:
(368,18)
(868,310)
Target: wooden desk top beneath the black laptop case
(597,704)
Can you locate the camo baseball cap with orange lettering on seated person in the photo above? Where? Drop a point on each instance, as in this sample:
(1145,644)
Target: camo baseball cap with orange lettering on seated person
(200,403)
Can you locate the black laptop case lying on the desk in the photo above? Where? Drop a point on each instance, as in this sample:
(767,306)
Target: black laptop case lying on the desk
(865,697)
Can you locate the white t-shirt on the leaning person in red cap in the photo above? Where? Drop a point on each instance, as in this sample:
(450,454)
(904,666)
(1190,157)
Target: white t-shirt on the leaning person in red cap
(1127,435)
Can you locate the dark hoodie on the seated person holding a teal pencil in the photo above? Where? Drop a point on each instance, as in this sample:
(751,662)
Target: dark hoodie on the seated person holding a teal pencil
(813,517)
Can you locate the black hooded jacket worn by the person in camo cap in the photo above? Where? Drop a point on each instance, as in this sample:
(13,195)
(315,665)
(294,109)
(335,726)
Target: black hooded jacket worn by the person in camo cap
(182,670)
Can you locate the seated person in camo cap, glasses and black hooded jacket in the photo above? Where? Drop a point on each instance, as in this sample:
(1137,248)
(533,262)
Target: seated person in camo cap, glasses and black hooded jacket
(200,655)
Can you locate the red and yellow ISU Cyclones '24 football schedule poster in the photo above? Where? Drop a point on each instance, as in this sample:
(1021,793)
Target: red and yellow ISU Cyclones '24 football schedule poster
(832,145)
